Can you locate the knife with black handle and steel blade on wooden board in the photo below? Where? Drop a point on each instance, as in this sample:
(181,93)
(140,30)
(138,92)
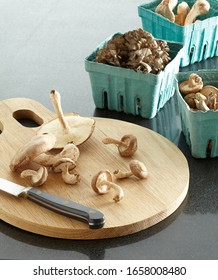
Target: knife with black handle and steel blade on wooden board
(94,218)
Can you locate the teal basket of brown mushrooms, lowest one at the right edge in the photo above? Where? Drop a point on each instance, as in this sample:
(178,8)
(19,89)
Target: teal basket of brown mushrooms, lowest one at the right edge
(199,128)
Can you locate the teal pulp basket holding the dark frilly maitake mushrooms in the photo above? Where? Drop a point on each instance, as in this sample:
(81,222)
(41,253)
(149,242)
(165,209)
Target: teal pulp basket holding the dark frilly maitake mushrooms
(129,91)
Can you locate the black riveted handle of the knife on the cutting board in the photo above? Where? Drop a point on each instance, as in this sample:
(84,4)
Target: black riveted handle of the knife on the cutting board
(94,218)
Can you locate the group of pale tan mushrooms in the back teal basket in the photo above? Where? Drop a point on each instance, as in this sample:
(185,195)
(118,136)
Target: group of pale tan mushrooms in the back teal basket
(184,14)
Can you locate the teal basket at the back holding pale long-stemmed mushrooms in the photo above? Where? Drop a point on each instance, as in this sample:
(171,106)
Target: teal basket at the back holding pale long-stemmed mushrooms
(200,39)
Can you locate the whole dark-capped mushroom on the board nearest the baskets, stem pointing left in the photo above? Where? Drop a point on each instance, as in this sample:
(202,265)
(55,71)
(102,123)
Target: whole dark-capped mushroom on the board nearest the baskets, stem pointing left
(127,146)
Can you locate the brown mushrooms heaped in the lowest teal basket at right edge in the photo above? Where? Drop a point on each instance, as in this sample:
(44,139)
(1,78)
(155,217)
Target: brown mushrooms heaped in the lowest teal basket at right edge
(198,96)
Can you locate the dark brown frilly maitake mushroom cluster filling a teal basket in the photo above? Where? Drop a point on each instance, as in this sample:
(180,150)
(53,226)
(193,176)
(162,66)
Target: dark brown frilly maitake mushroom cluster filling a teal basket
(137,50)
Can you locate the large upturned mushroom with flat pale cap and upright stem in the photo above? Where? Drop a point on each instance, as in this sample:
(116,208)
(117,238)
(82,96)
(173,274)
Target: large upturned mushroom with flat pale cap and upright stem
(68,128)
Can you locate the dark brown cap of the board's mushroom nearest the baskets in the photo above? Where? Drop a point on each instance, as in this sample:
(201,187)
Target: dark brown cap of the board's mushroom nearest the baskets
(130,146)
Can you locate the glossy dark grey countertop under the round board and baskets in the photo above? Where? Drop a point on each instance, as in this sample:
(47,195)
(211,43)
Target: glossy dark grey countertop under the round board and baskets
(43,45)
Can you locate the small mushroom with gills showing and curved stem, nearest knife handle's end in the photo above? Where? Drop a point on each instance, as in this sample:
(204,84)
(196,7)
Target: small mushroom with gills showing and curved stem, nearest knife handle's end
(102,182)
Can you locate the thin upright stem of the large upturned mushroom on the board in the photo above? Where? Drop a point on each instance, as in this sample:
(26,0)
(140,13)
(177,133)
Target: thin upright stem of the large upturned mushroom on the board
(56,101)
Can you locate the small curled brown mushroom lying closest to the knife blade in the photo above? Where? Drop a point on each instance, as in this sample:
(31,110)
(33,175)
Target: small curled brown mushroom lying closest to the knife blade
(36,177)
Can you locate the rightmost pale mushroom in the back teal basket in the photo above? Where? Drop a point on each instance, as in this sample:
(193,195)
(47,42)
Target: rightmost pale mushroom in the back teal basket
(200,7)
